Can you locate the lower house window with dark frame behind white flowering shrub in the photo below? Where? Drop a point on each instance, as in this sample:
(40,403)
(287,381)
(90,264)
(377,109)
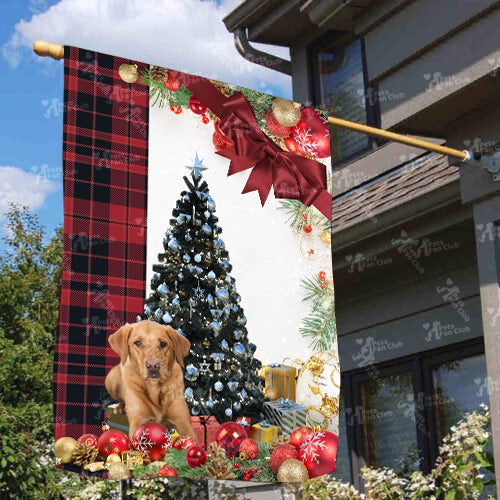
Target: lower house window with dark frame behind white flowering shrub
(397,413)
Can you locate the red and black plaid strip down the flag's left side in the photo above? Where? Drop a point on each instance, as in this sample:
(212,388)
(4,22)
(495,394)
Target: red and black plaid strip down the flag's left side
(105,165)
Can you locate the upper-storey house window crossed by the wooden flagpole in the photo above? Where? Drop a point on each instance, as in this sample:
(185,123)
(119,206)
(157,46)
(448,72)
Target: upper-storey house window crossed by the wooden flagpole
(339,85)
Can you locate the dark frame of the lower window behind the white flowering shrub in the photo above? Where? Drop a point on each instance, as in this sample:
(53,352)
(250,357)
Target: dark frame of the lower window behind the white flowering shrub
(420,364)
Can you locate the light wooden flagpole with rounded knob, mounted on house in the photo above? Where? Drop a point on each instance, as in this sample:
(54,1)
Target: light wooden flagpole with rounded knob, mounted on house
(45,49)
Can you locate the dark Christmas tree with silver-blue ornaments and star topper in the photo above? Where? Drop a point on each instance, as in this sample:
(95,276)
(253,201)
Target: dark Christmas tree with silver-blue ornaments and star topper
(193,291)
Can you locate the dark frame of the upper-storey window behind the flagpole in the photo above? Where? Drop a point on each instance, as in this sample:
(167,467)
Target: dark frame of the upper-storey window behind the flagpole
(338,39)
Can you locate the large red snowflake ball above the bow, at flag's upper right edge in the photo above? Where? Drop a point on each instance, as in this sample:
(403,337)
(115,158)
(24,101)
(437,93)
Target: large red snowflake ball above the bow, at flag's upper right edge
(311,134)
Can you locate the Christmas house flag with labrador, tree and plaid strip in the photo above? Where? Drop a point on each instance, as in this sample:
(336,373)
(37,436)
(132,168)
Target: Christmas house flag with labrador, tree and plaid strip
(196,327)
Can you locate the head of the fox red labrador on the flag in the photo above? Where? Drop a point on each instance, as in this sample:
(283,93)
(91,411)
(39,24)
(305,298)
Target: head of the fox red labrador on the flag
(150,347)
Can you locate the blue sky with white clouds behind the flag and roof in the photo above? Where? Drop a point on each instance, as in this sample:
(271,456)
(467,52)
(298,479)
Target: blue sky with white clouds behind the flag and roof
(186,35)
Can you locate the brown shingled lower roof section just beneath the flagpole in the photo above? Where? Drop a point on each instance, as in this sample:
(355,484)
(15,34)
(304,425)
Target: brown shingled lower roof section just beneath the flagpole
(393,189)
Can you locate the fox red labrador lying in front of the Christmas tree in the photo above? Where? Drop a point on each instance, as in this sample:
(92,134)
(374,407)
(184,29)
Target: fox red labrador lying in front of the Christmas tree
(148,383)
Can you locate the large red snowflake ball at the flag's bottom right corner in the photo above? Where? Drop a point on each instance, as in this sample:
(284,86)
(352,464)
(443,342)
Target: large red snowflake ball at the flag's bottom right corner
(319,453)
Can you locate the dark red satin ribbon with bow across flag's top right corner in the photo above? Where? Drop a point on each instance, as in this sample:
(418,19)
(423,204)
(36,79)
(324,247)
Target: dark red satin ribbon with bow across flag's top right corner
(291,176)
